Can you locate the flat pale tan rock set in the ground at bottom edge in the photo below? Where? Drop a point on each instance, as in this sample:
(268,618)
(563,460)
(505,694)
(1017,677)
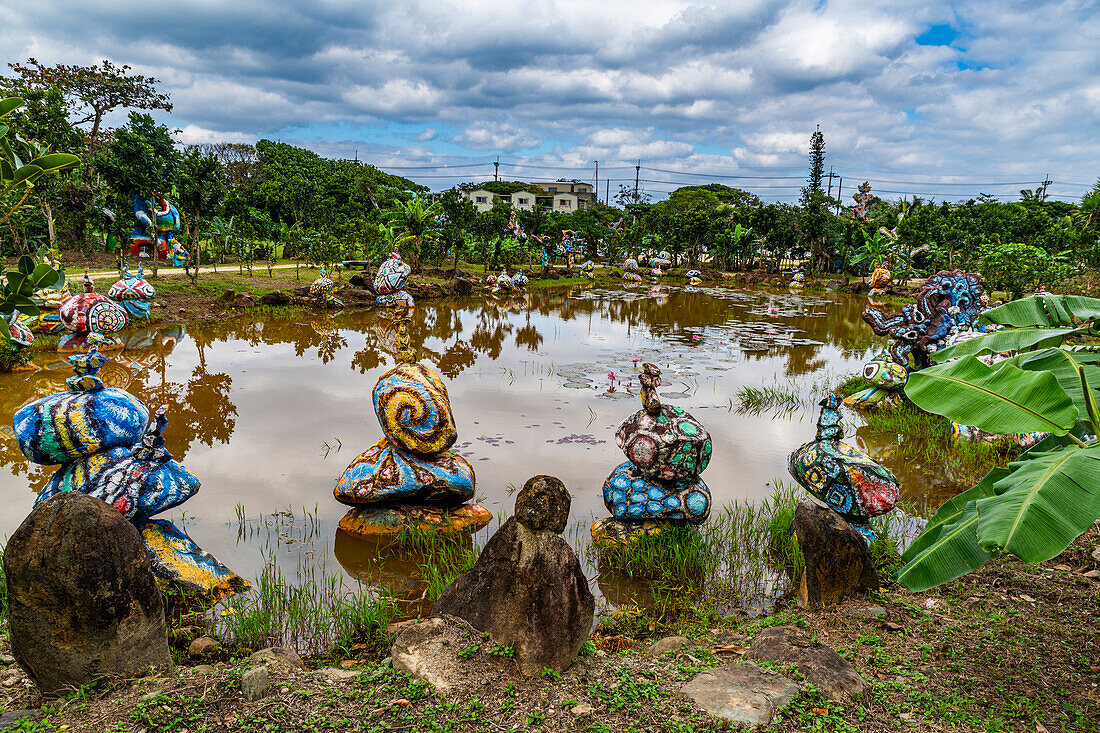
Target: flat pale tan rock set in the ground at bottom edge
(741,693)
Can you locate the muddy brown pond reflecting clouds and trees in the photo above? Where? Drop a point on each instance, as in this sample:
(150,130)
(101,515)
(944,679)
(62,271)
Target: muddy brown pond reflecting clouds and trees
(269,414)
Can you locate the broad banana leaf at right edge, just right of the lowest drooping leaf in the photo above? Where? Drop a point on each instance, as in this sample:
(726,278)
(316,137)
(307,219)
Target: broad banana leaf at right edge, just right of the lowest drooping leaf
(1046,504)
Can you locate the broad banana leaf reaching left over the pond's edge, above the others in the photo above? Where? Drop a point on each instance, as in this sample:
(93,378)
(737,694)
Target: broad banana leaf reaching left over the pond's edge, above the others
(1006,400)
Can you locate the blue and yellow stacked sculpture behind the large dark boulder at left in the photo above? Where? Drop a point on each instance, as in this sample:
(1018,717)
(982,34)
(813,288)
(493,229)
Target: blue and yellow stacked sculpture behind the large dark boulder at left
(107,447)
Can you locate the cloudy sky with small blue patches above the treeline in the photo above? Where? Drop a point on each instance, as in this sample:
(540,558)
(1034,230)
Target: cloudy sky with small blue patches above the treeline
(937,99)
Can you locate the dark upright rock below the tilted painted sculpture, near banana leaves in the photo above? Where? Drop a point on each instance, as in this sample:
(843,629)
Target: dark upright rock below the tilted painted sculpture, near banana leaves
(839,563)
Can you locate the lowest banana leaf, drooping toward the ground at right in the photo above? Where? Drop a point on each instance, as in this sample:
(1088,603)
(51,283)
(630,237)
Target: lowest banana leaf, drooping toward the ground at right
(948,552)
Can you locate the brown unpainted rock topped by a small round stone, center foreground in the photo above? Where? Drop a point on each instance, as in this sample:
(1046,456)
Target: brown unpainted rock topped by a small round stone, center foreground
(527,589)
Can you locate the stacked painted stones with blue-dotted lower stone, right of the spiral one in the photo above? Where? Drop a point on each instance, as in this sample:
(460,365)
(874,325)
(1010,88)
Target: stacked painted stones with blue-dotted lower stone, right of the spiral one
(661,484)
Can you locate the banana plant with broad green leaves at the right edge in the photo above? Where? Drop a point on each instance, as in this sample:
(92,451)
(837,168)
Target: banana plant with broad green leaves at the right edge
(1048,498)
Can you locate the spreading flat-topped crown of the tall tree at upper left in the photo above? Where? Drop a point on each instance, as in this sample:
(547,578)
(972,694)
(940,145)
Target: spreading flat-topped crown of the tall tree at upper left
(95,91)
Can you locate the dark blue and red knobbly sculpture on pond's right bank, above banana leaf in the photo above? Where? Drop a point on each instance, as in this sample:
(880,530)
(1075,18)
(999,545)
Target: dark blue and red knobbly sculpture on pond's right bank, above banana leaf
(949,303)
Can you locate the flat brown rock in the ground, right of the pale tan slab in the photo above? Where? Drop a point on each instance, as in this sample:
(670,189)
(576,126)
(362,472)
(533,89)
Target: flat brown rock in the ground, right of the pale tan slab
(826,670)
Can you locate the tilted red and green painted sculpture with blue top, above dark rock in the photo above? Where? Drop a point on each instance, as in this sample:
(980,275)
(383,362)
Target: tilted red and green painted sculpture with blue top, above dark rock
(853,484)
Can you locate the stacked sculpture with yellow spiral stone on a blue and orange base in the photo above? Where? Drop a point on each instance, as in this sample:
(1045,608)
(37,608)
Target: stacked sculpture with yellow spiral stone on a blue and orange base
(410,479)
